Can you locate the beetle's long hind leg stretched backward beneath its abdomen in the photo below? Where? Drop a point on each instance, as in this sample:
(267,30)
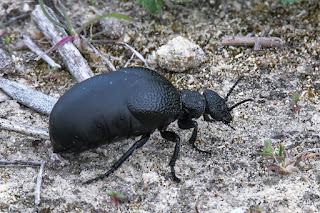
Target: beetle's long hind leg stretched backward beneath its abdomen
(115,166)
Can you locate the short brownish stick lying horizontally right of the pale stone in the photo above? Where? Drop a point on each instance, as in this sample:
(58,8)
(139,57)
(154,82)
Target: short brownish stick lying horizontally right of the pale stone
(257,42)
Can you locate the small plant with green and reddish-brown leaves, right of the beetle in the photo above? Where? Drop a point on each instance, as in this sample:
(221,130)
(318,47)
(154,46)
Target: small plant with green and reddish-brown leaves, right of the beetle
(281,161)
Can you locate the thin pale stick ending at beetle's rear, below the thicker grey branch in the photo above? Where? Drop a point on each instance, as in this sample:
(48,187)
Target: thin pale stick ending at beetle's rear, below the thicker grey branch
(24,129)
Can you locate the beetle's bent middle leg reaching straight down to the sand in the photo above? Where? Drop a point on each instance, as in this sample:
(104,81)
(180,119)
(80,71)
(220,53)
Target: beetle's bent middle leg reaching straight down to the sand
(171,136)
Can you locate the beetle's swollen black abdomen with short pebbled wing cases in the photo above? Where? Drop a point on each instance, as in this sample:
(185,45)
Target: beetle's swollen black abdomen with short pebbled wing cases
(117,105)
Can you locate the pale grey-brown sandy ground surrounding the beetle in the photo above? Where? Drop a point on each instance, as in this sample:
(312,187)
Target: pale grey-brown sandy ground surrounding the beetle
(234,177)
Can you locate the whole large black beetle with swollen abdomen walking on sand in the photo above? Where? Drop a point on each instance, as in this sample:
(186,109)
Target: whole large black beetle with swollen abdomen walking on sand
(130,102)
